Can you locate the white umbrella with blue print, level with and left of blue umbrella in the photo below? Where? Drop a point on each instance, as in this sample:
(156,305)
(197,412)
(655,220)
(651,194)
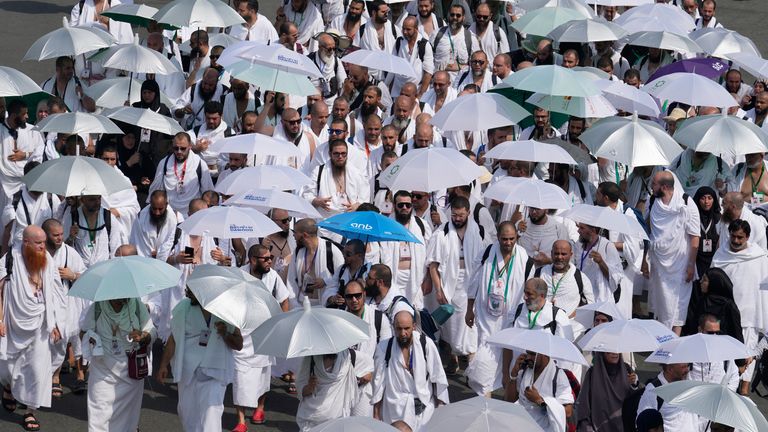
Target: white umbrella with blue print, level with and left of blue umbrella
(229,222)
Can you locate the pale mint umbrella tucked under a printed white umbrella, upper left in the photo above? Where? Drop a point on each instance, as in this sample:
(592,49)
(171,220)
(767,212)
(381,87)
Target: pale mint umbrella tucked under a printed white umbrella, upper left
(268,78)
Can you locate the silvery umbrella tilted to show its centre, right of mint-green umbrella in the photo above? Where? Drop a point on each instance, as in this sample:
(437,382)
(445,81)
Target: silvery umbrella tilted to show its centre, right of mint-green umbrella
(233,295)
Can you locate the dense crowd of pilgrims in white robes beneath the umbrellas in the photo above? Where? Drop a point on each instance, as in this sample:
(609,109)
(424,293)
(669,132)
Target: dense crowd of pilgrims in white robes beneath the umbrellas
(496,264)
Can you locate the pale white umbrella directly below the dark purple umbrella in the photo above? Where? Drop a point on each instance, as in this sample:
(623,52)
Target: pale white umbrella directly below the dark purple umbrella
(691,89)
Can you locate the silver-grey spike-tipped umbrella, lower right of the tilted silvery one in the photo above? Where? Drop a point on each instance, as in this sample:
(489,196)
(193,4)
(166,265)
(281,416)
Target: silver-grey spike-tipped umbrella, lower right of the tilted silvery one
(309,331)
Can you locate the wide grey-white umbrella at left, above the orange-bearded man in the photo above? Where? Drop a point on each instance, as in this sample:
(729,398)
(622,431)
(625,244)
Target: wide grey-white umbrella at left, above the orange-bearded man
(76,175)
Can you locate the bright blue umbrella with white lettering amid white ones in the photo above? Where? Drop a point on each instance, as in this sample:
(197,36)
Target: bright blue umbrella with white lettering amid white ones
(367,226)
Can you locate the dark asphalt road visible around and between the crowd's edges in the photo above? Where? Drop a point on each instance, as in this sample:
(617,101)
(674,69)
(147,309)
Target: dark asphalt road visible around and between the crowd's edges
(23,21)
